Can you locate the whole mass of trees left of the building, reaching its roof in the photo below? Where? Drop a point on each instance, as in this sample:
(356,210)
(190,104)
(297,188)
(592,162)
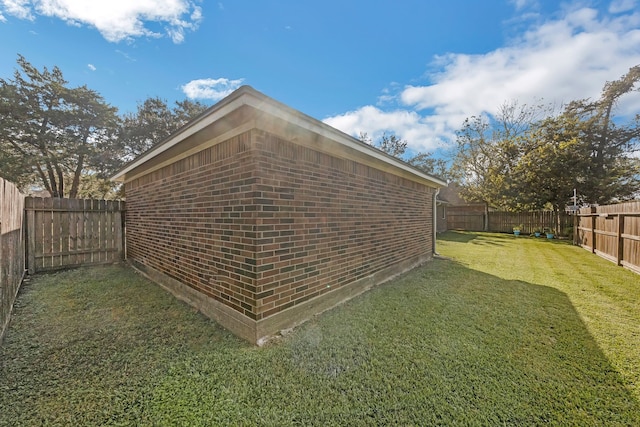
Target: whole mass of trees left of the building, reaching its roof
(68,140)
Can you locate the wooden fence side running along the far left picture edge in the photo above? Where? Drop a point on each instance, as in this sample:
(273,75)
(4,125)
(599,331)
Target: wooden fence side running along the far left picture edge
(12,267)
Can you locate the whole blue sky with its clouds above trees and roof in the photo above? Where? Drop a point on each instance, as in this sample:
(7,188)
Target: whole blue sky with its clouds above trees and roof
(413,67)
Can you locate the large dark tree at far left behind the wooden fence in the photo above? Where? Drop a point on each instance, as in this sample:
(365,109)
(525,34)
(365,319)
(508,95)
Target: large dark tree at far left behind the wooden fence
(51,133)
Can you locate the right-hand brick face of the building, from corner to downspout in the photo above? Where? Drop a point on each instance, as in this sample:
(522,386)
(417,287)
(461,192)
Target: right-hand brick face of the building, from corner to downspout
(324,222)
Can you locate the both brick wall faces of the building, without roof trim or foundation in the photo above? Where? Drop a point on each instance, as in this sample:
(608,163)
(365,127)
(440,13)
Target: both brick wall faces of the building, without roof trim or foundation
(261,224)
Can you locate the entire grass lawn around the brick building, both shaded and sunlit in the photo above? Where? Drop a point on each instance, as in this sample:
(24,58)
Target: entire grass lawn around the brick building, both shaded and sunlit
(511,331)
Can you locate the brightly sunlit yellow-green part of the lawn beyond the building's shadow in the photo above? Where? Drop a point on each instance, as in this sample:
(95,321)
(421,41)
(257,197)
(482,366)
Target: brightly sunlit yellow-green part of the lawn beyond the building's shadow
(606,298)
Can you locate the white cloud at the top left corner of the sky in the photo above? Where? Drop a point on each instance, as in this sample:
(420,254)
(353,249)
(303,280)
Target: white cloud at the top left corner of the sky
(116,20)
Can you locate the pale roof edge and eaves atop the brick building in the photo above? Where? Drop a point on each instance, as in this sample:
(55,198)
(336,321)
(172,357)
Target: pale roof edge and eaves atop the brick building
(243,109)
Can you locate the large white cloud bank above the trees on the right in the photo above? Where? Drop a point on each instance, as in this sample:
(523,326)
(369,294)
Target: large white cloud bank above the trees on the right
(554,61)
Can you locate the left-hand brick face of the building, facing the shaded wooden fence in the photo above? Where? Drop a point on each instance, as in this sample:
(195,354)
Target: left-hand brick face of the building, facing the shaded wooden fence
(193,221)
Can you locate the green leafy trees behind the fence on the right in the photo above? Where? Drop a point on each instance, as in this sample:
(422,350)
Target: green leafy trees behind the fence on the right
(529,158)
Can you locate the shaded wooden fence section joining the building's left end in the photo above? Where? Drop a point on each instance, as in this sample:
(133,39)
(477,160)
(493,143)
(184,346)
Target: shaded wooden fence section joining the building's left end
(64,233)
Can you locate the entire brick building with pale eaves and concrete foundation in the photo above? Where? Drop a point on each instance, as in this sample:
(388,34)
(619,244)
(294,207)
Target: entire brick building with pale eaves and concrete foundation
(261,216)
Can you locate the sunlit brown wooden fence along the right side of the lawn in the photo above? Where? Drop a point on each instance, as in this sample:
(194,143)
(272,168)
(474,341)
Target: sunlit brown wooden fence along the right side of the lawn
(612,232)
